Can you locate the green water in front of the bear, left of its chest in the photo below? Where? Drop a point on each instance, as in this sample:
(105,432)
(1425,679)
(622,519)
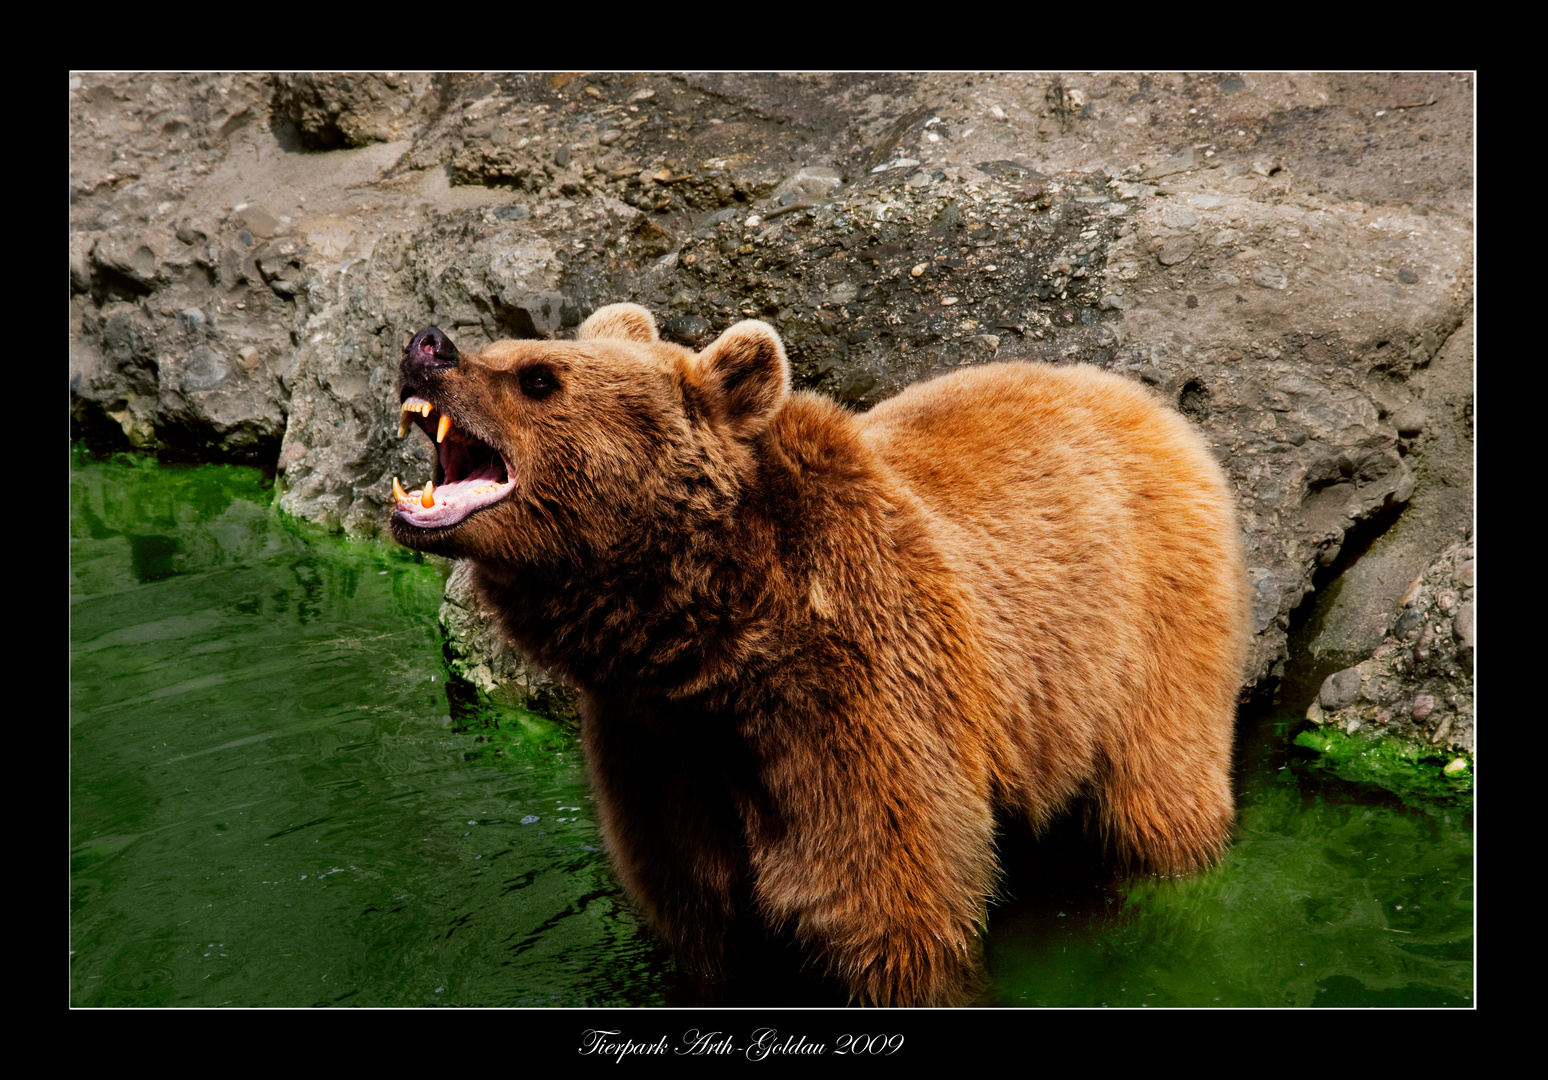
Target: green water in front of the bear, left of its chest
(275,801)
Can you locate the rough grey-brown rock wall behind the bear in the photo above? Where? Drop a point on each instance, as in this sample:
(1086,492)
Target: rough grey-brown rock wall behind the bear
(1289,259)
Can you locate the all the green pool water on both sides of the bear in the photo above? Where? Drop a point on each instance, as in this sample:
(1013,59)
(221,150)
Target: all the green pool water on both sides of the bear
(278,799)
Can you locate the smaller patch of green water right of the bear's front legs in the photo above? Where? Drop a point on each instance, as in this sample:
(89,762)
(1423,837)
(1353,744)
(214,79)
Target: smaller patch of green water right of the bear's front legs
(1334,895)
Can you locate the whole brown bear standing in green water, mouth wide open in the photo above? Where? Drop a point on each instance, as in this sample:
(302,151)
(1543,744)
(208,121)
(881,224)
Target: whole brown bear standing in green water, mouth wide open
(818,651)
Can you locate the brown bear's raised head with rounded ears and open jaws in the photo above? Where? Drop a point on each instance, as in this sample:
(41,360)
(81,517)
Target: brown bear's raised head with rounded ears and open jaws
(547,453)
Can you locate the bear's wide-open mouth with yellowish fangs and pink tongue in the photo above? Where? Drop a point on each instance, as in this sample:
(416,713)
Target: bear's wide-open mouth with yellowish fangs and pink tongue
(468,474)
